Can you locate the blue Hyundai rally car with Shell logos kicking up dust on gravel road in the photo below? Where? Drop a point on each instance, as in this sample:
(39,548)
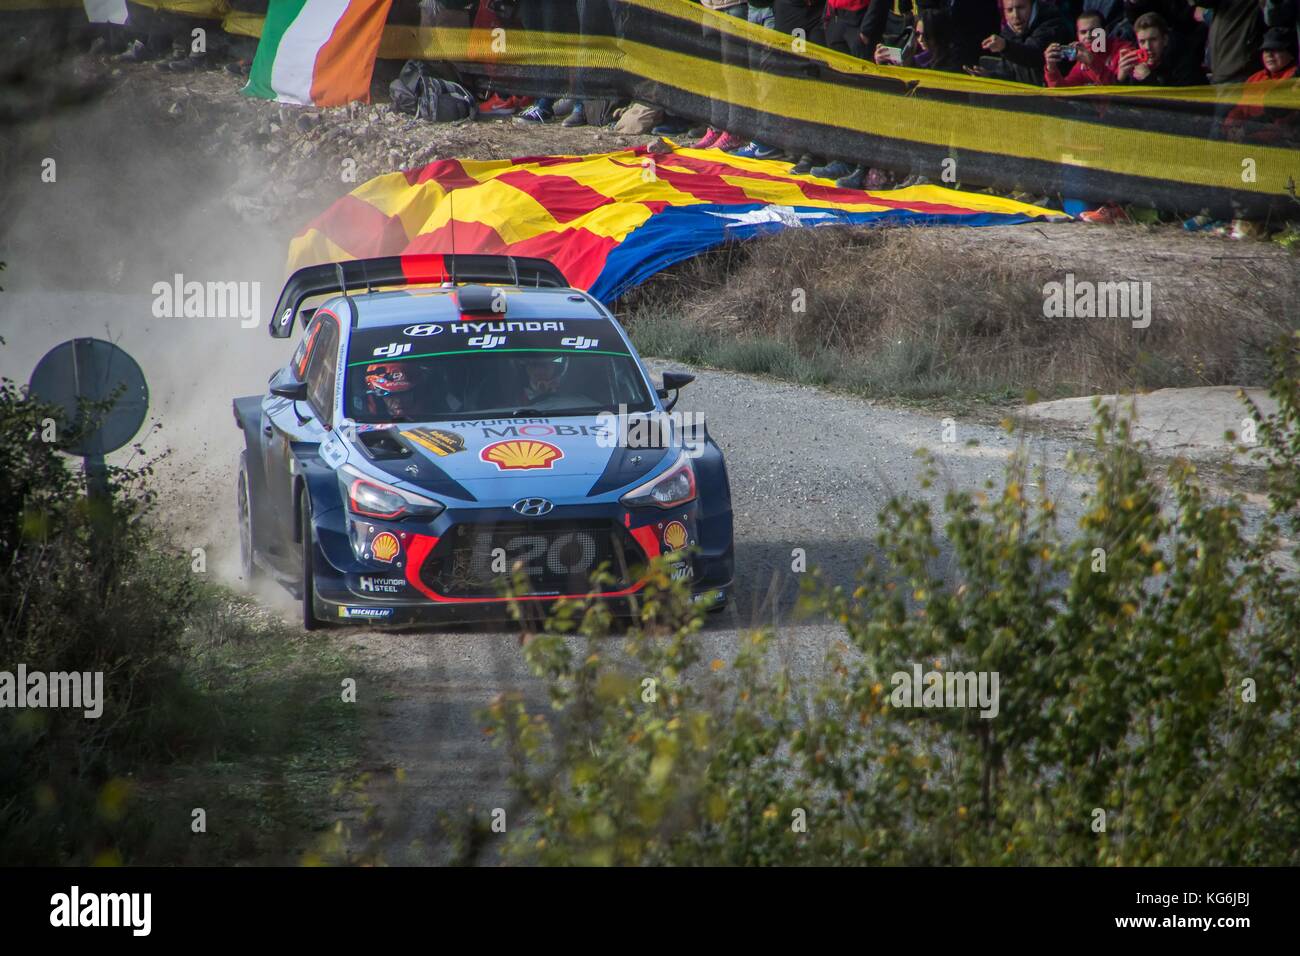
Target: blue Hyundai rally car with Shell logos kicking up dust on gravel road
(450,423)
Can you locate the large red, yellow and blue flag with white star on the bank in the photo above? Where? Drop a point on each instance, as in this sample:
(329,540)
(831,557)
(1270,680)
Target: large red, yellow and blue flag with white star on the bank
(613,220)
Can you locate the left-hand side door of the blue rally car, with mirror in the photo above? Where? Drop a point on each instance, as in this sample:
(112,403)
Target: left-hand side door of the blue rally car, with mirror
(288,422)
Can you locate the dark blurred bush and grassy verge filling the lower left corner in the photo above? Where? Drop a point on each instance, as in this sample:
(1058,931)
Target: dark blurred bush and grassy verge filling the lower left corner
(207,702)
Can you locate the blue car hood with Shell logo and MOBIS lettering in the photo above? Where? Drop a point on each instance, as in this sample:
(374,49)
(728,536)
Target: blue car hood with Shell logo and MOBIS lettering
(500,461)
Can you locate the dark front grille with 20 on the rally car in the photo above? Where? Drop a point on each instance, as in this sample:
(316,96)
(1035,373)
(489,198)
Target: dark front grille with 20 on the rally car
(554,559)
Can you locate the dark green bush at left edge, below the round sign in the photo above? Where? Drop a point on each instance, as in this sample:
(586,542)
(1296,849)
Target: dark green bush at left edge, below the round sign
(83,589)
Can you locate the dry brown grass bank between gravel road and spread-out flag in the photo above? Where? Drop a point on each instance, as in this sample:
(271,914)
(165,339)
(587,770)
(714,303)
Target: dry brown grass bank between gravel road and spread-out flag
(918,314)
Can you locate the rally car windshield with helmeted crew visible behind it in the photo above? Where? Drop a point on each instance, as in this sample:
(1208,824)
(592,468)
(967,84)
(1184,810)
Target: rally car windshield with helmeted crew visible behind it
(392,378)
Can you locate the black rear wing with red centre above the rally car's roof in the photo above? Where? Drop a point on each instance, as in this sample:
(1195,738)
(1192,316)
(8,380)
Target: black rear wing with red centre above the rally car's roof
(411,270)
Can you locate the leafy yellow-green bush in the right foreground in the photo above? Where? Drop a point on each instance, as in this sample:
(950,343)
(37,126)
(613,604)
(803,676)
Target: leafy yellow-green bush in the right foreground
(1147,697)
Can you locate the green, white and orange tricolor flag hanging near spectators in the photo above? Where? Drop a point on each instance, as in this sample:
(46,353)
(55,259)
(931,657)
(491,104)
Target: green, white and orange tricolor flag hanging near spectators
(318,53)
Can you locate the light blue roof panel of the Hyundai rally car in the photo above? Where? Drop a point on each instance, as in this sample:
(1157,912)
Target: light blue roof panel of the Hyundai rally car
(384,309)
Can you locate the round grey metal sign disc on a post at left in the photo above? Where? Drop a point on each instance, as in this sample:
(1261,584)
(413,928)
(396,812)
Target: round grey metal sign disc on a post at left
(94,371)
